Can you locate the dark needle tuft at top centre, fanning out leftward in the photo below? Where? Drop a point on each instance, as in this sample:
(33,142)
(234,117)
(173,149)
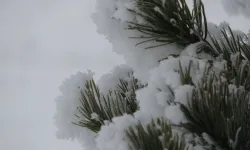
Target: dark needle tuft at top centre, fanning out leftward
(170,21)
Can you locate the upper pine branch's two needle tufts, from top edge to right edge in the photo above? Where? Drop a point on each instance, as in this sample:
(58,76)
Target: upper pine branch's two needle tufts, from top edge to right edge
(171,21)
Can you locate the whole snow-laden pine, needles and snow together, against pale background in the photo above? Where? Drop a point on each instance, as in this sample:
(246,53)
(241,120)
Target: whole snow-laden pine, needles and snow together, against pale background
(185,85)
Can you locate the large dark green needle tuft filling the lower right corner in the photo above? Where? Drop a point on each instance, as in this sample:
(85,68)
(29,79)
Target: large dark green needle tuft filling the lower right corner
(221,113)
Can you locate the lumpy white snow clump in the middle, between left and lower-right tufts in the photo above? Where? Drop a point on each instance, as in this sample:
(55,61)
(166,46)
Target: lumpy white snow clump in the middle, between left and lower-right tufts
(164,87)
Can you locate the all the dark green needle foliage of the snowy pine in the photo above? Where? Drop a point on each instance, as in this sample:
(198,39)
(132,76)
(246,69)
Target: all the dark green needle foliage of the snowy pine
(220,104)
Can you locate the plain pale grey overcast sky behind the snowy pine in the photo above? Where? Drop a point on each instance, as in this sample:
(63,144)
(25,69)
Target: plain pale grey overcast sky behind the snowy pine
(41,43)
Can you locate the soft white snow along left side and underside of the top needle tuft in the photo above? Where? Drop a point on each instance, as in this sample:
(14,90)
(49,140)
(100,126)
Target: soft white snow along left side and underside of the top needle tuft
(114,30)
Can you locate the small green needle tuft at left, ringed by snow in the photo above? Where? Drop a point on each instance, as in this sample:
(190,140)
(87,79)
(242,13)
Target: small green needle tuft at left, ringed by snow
(96,108)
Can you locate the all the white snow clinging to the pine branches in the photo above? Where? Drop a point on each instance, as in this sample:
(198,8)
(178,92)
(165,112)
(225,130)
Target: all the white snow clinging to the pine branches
(160,98)
